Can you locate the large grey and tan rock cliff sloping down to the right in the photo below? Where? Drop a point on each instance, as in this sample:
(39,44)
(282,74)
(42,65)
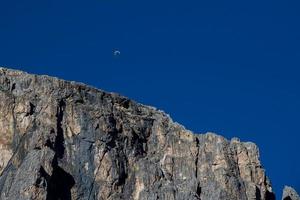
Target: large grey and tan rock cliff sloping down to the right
(65,140)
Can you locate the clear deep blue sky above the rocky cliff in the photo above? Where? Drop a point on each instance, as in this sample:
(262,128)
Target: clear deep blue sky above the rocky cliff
(230,67)
